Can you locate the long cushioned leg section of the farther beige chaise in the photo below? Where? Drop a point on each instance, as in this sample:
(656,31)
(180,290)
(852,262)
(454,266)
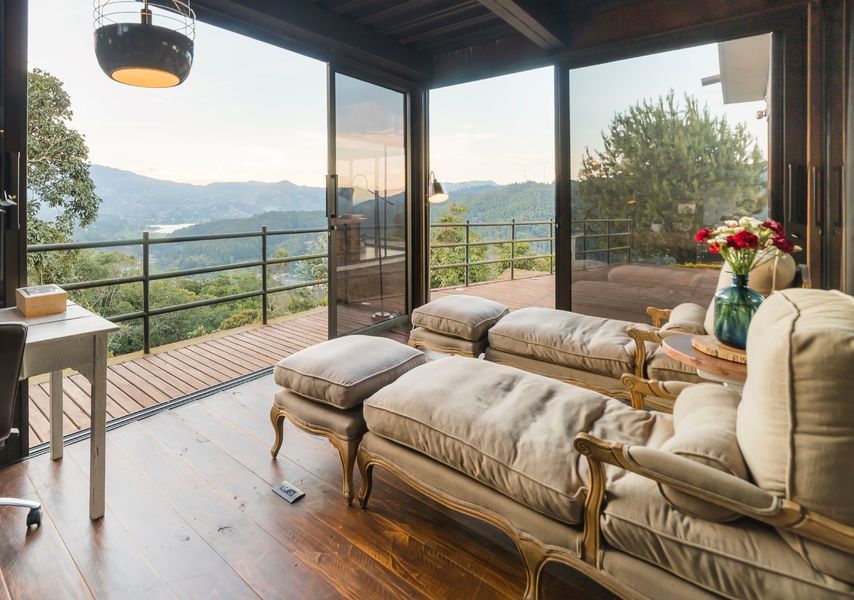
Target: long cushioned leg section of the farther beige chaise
(578,349)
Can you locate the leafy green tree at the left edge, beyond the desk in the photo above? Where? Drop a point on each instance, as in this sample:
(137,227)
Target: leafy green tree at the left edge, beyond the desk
(57,174)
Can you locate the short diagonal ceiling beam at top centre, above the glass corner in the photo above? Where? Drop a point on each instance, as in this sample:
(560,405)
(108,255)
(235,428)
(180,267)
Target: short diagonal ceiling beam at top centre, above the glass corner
(537,21)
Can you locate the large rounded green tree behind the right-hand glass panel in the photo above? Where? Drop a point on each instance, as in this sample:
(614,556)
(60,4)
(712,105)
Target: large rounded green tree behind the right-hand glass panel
(659,154)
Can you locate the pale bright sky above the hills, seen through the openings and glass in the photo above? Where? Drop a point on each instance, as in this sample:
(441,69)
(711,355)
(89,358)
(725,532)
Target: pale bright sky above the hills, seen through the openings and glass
(251,111)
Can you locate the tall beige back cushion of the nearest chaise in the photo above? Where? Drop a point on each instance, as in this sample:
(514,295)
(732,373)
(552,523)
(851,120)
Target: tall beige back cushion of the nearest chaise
(796,417)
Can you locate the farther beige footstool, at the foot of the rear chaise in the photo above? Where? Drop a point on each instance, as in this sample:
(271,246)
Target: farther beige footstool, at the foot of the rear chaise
(455,324)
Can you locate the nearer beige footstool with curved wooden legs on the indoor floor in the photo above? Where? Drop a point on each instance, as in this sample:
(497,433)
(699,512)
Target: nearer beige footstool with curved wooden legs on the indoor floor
(324,387)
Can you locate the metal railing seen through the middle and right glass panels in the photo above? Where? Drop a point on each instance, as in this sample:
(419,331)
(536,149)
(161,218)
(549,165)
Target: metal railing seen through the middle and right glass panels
(586,232)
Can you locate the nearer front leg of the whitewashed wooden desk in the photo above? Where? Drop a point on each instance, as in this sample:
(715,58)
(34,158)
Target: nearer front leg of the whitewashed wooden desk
(98,438)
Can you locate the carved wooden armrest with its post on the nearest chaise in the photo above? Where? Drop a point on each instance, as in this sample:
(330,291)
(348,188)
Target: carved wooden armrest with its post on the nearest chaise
(704,482)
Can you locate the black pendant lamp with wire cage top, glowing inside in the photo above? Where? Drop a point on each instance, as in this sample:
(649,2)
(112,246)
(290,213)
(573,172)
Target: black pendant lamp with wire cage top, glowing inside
(145,44)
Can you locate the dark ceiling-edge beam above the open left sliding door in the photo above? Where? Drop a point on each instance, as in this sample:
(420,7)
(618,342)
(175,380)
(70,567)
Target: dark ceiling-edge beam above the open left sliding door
(305,27)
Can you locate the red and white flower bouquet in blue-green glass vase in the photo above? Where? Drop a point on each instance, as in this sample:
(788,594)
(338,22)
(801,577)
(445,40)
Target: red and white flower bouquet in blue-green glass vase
(744,245)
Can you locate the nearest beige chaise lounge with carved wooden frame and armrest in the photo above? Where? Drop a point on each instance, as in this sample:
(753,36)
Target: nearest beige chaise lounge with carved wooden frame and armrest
(727,497)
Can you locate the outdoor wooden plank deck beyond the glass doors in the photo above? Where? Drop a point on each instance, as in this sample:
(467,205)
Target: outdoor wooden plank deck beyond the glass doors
(138,382)
